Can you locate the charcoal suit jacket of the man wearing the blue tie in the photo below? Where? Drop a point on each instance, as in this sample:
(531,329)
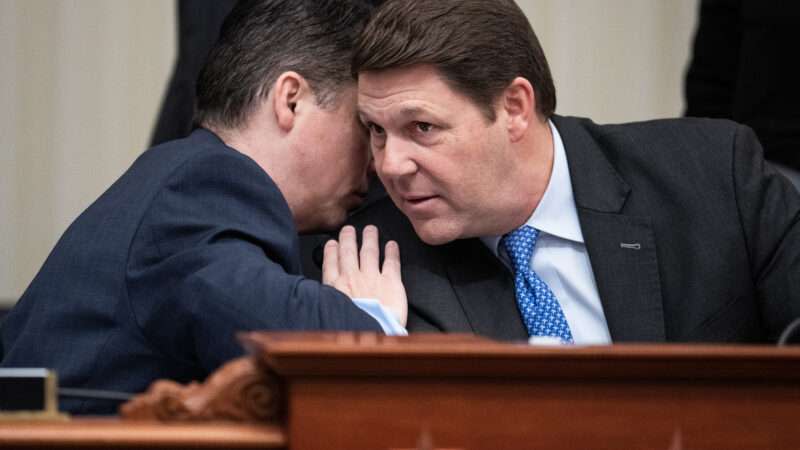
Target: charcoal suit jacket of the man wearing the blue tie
(719,235)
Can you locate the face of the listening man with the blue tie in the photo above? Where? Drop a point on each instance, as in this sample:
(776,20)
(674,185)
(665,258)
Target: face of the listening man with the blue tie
(439,157)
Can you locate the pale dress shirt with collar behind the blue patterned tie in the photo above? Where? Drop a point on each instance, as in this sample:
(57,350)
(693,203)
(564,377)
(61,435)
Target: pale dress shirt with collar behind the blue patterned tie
(560,258)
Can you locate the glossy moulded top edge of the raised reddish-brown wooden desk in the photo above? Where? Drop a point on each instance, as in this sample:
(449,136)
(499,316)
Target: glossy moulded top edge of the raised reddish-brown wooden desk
(455,355)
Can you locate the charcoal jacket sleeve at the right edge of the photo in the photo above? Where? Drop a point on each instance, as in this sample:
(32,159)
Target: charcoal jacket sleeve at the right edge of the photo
(769,211)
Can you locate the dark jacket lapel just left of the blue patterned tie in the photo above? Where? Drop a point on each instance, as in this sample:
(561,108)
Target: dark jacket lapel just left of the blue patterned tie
(485,290)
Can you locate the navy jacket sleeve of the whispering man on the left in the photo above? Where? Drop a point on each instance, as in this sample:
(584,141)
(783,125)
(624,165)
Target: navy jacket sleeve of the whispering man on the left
(217,253)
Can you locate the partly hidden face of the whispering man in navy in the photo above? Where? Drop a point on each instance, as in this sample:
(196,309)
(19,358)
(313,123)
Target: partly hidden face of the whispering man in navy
(333,164)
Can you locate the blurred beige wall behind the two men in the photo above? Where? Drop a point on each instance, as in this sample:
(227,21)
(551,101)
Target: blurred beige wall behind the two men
(81,82)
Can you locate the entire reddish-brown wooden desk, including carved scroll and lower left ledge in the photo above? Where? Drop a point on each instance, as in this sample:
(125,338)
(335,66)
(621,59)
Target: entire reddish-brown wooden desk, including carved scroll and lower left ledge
(366,391)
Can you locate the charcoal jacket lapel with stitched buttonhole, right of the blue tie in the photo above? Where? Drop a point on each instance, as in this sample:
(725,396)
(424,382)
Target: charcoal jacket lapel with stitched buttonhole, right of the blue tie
(621,247)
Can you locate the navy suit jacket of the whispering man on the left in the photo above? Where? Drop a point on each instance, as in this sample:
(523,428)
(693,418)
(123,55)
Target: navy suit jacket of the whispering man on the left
(192,244)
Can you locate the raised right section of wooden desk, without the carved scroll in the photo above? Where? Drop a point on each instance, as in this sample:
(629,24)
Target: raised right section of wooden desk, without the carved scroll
(360,391)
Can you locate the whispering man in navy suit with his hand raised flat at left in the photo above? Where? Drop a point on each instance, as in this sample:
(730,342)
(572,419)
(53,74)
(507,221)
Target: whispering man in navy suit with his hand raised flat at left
(198,239)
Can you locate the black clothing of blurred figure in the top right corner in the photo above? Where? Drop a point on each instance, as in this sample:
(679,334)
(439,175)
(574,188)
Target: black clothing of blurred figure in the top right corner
(742,69)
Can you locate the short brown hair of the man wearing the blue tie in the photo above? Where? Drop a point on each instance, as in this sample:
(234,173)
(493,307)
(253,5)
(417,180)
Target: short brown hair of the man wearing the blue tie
(478,47)
